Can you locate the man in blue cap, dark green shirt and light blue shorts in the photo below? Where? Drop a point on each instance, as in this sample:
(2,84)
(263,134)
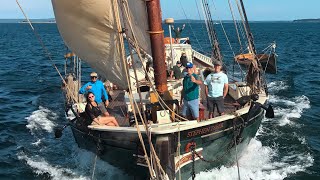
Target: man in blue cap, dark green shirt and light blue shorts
(190,93)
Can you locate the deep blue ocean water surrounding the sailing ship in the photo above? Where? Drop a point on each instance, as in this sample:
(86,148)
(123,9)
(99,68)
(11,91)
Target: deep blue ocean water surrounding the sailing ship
(31,106)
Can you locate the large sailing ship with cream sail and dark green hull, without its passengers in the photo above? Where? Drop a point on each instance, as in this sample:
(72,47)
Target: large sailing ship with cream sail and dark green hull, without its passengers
(160,144)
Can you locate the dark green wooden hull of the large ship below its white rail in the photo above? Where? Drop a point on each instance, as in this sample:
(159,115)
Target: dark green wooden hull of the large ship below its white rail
(214,142)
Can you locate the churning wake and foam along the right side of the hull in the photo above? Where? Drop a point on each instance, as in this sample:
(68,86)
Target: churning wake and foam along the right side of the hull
(276,157)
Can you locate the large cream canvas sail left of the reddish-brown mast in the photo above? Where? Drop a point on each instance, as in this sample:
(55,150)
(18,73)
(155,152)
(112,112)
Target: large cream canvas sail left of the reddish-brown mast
(89,29)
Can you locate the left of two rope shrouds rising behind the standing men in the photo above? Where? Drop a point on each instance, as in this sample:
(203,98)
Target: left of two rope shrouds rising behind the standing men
(216,52)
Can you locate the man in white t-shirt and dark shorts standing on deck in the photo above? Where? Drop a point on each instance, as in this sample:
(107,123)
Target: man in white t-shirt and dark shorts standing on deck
(216,89)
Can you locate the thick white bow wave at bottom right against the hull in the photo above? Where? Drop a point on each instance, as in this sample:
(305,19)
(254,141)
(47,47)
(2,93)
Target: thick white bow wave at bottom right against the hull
(258,163)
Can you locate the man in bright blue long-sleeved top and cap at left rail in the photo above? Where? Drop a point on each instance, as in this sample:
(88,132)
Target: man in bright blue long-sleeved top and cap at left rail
(97,88)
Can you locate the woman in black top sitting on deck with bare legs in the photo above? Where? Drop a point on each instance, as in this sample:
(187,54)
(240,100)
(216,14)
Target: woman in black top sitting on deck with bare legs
(95,114)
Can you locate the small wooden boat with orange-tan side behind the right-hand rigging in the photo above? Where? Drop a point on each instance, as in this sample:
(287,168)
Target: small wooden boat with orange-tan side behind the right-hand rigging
(268,63)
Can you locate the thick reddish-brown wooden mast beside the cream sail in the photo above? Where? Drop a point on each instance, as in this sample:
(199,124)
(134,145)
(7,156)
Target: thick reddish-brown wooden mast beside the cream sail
(157,45)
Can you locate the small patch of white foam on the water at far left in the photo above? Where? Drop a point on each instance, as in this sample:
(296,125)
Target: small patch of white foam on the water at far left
(41,120)
